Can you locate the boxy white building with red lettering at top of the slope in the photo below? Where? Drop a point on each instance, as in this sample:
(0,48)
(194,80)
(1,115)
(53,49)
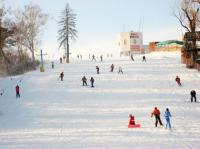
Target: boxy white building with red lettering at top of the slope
(130,43)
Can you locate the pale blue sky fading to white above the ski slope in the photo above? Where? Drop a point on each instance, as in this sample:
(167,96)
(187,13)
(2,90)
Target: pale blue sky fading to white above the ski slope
(100,21)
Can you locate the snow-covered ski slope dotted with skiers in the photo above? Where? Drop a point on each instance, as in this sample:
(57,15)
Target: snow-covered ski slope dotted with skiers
(54,114)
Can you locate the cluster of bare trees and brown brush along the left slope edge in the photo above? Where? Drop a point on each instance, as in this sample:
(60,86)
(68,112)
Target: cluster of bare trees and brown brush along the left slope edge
(19,38)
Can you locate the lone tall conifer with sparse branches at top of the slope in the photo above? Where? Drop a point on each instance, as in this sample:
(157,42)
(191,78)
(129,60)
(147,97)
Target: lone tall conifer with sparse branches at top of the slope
(67,29)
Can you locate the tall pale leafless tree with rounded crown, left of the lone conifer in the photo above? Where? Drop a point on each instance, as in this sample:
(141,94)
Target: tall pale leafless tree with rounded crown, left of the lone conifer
(30,22)
